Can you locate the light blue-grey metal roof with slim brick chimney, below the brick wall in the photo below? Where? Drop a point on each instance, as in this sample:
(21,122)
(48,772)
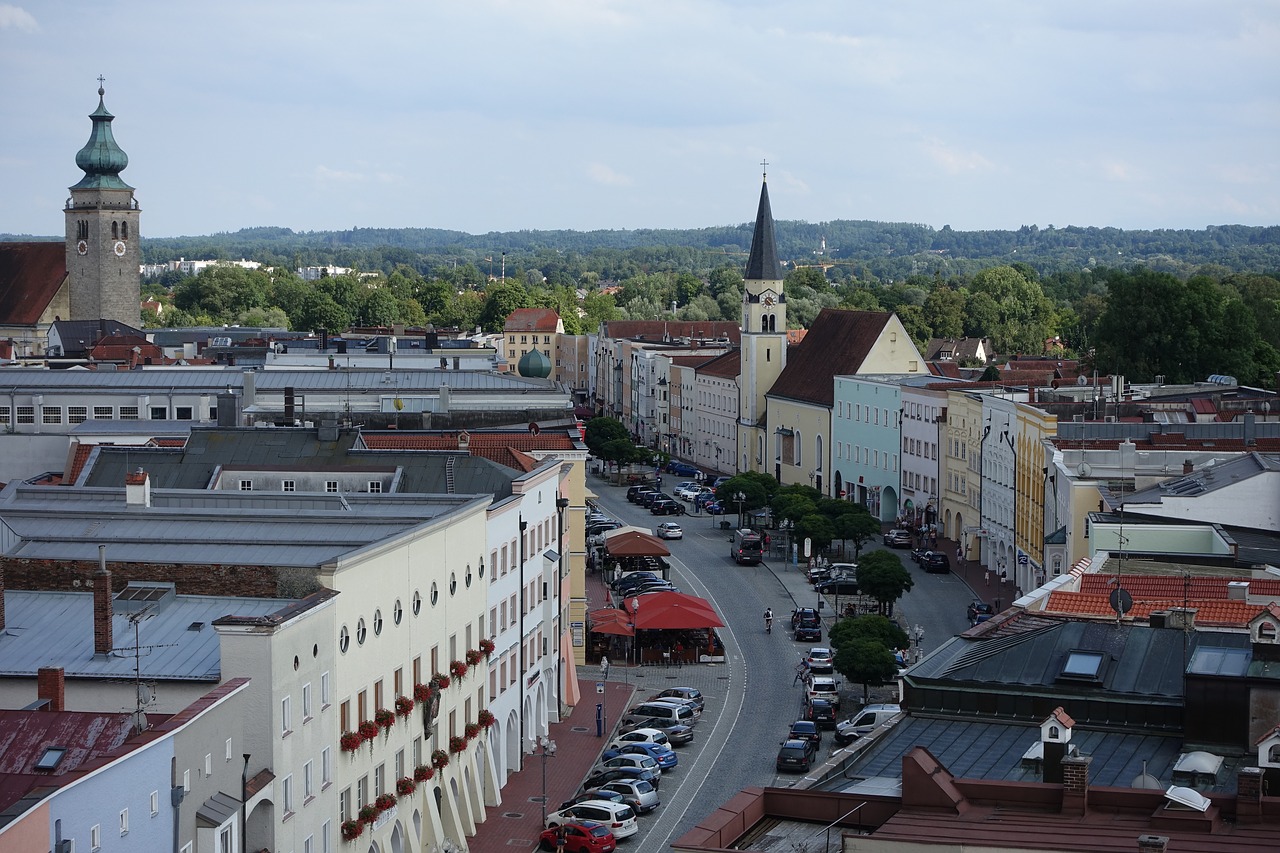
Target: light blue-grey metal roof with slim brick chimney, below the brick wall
(57,630)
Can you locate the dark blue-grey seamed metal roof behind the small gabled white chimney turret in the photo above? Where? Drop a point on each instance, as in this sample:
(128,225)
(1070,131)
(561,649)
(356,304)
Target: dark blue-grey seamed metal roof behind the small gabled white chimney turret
(994,751)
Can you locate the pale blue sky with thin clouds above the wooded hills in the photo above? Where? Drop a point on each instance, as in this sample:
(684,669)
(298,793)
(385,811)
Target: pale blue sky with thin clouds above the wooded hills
(490,116)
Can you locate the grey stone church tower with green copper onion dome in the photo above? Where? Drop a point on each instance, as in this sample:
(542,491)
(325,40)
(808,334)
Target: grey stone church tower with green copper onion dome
(103,259)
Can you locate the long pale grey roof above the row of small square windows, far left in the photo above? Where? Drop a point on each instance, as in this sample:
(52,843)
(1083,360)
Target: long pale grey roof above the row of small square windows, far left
(212,380)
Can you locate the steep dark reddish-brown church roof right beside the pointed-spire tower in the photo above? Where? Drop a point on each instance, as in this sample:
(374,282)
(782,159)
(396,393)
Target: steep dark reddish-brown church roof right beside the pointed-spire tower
(838,344)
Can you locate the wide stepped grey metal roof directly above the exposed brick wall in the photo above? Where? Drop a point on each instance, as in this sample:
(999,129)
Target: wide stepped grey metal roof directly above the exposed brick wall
(213,528)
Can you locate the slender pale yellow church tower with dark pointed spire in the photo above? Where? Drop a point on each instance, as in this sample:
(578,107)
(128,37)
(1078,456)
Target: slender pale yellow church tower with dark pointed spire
(765,337)
